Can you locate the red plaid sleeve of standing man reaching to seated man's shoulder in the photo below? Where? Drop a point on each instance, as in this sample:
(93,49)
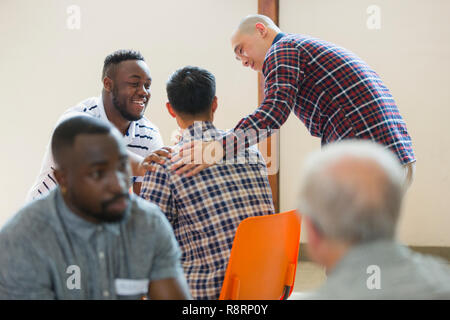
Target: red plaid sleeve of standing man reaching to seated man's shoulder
(281,85)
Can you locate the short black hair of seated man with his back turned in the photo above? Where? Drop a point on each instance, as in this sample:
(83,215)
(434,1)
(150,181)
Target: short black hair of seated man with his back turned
(191,90)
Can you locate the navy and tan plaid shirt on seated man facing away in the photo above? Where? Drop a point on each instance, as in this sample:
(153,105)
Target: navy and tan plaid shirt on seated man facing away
(206,209)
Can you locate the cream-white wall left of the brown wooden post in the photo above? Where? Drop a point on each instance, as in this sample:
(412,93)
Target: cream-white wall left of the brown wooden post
(46,67)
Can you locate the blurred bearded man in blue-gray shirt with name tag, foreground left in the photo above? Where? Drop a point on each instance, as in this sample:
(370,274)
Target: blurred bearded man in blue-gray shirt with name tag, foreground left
(89,238)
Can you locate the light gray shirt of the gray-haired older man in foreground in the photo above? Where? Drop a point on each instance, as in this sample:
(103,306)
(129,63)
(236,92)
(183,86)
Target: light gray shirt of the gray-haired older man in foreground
(386,270)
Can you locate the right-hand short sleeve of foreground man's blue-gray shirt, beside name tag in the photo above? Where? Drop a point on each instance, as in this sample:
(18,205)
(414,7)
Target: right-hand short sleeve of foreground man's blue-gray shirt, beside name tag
(166,261)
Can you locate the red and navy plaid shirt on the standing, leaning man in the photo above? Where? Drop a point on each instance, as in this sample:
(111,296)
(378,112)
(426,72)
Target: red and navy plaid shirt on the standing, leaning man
(332,91)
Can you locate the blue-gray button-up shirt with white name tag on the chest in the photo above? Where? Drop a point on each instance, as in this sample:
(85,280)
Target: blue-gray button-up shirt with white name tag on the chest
(48,252)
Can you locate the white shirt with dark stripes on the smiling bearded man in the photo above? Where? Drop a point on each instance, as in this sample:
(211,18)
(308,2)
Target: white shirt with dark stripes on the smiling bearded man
(141,138)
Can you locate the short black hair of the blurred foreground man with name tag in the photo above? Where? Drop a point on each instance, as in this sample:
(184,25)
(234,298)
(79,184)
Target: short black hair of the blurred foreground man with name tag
(66,132)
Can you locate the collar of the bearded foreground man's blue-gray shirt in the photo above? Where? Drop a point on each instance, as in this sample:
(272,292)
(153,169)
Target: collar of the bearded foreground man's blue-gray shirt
(80,226)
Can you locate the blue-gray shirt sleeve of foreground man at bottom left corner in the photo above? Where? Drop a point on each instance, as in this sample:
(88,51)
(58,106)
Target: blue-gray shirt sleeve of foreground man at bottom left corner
(23,272)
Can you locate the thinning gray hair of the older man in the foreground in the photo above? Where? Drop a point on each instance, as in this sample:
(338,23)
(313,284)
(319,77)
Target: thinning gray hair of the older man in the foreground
(352,191)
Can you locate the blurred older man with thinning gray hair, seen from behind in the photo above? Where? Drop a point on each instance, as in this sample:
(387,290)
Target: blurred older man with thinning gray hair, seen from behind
(350,198)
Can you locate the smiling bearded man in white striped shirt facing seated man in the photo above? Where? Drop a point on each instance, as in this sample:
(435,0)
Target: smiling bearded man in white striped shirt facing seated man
(124,99)
